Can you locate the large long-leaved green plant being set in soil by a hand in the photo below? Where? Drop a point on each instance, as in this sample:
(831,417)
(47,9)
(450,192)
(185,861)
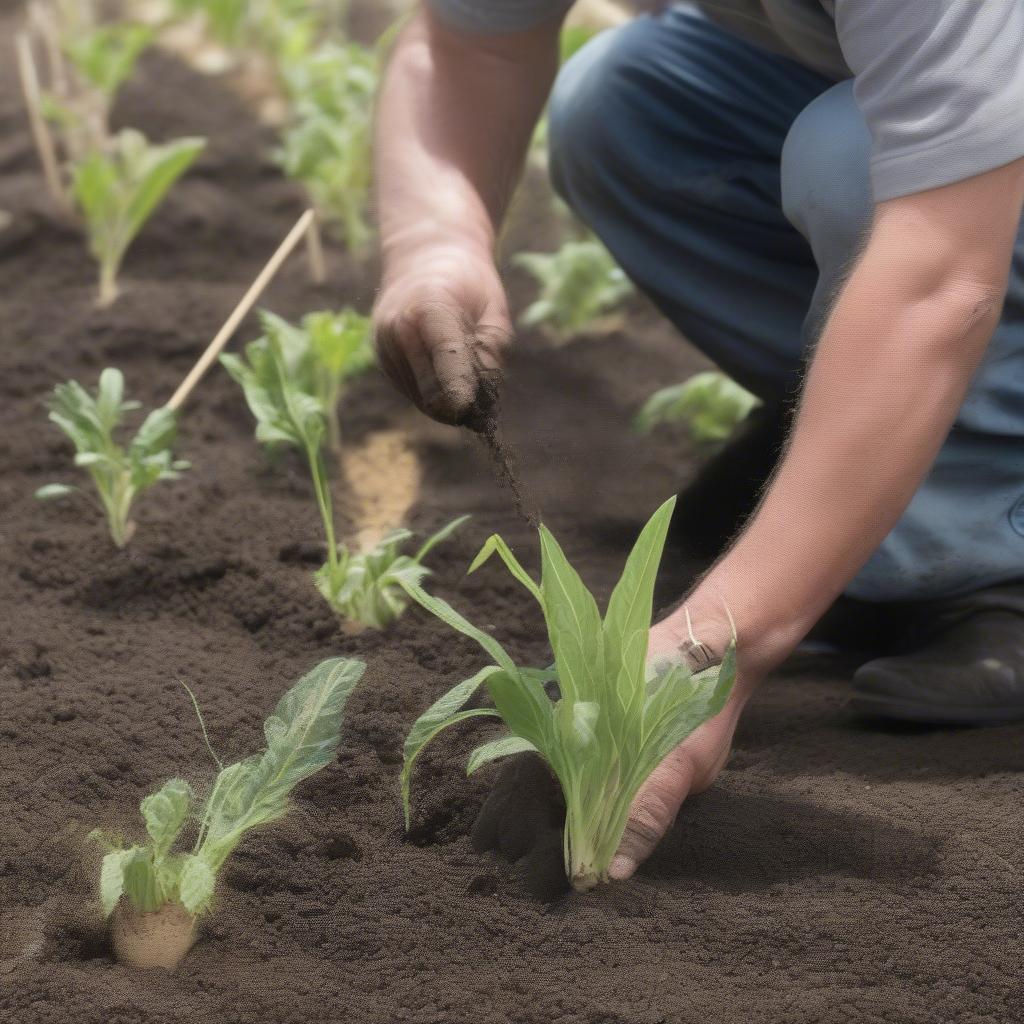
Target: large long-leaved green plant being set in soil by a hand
(617,717)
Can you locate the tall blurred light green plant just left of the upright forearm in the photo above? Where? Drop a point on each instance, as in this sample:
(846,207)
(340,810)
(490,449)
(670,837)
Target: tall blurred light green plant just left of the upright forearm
(327,147)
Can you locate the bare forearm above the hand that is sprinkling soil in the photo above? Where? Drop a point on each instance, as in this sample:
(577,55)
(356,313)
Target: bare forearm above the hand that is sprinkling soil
(454,121)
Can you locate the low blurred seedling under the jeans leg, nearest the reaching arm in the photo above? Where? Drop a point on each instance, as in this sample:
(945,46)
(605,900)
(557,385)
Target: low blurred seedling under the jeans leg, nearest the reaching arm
(710,404)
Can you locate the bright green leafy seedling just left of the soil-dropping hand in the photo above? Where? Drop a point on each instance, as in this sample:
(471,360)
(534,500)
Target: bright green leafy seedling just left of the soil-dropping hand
(323,355)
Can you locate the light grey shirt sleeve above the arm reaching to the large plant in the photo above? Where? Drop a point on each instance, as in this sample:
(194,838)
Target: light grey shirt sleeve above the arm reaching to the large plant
(942,87)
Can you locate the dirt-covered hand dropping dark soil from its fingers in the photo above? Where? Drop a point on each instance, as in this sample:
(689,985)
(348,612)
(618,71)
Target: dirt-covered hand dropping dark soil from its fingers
(441,327)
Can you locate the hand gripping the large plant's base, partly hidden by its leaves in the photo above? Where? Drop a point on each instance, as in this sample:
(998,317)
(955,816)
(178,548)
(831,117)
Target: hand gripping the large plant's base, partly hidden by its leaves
(695,764)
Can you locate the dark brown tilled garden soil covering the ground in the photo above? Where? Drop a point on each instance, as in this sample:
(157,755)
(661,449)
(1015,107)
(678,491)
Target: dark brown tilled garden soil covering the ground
(838,872)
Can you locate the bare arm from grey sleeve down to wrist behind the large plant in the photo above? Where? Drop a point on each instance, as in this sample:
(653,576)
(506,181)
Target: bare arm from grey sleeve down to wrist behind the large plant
(890,373)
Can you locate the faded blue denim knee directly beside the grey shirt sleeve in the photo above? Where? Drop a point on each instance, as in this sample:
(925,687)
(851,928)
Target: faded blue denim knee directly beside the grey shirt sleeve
(827,193)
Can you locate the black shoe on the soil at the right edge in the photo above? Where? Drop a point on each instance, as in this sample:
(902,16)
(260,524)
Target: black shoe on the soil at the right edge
(962,663)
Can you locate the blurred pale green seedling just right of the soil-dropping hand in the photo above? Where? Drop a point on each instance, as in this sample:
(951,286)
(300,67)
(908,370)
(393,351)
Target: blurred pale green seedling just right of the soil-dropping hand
(579,283)
